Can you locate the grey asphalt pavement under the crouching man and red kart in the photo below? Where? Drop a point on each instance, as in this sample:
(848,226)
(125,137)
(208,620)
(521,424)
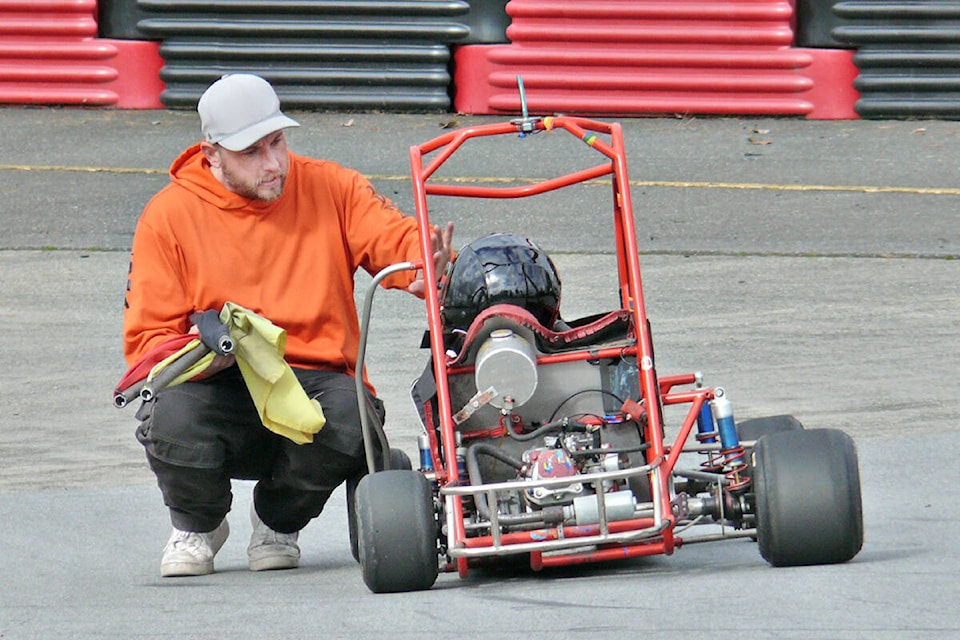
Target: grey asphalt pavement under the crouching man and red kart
(808,267)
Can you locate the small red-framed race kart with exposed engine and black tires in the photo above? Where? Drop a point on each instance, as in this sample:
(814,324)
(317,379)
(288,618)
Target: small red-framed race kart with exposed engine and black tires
(546,439)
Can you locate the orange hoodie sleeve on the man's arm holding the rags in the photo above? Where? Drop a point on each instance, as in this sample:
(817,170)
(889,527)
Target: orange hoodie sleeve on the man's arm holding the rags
(156,304)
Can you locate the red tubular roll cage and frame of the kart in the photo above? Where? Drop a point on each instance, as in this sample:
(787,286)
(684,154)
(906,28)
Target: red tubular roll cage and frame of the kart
(655,392)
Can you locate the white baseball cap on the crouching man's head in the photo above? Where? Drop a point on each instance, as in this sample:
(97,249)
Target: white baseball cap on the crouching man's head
(239,109)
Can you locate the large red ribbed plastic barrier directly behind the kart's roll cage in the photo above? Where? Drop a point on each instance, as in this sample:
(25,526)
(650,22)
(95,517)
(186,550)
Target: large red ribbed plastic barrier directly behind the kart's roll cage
(655,57)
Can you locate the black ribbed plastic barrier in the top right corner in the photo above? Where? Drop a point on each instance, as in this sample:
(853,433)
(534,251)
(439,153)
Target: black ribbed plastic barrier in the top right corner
(908,56)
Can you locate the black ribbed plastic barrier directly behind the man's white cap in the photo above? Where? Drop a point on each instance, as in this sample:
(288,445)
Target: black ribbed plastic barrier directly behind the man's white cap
(330,54)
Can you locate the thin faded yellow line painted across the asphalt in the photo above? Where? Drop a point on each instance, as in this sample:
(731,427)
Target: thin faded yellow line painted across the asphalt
(755,186)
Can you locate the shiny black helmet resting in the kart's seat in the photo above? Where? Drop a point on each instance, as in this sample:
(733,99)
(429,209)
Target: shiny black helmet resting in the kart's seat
(500,268)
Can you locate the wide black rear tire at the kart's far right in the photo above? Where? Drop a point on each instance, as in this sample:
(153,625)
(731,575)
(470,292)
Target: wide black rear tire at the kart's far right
(807,494)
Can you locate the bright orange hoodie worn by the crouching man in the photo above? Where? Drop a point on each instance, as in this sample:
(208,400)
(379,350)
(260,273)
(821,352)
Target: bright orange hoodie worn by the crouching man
(199,245)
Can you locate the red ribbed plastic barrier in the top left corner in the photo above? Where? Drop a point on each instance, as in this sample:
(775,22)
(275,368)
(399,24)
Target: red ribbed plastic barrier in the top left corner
(50,54)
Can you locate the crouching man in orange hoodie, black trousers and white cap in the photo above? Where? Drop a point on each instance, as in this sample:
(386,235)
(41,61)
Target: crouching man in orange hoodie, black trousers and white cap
(245,220)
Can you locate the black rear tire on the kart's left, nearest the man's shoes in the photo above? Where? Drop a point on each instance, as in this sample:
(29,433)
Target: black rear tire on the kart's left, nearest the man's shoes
(396,531)
